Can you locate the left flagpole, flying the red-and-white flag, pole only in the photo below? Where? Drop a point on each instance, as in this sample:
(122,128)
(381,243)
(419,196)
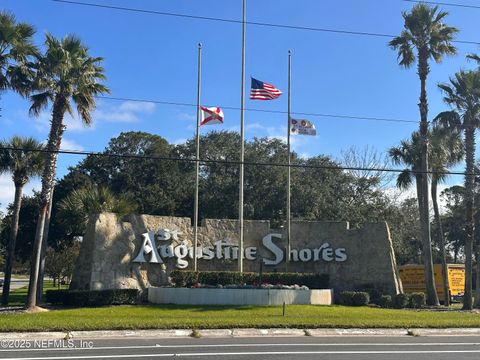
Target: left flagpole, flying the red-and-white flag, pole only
(197,165)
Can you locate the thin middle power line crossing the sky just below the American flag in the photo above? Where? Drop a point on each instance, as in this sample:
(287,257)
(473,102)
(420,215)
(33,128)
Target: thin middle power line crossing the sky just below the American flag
(341,116)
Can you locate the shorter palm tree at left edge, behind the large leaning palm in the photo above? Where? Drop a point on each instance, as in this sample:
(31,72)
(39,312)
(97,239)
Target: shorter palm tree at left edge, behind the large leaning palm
(23,163)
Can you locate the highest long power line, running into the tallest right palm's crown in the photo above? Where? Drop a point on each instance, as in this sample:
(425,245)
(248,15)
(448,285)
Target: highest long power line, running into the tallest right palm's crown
(207,18)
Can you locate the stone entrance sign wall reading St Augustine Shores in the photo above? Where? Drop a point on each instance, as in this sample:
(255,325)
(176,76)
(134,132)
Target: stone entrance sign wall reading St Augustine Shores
(141,250)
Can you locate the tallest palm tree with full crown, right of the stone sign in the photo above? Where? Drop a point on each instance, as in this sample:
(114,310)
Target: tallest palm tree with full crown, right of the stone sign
(425,33)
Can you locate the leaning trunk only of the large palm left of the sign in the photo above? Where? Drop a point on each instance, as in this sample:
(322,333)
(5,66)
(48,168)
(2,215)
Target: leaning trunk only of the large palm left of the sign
(54,140)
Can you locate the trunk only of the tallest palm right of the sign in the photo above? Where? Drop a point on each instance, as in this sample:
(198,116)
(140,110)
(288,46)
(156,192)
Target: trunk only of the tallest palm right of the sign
(423,70)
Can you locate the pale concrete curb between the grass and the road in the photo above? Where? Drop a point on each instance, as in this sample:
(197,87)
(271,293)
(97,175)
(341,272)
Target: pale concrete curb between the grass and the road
(219,333)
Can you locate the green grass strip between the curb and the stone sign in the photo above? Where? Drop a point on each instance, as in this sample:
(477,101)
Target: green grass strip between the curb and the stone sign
(205,317)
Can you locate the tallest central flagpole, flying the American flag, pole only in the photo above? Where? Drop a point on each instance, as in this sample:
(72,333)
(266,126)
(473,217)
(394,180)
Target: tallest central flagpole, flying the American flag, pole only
(242,150)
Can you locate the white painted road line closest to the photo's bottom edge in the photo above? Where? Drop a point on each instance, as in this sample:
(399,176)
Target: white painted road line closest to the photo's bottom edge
(136,356)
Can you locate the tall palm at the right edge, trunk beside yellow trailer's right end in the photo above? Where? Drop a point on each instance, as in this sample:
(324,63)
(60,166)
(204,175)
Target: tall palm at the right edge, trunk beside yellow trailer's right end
(463,95)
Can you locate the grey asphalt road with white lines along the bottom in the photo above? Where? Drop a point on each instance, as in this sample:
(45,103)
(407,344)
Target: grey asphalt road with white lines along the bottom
(264,348)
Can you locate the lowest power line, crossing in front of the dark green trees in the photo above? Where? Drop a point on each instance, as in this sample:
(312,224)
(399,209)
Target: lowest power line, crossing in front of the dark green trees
(231,162)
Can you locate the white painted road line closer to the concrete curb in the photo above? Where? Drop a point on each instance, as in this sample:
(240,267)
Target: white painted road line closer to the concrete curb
(190,346)
